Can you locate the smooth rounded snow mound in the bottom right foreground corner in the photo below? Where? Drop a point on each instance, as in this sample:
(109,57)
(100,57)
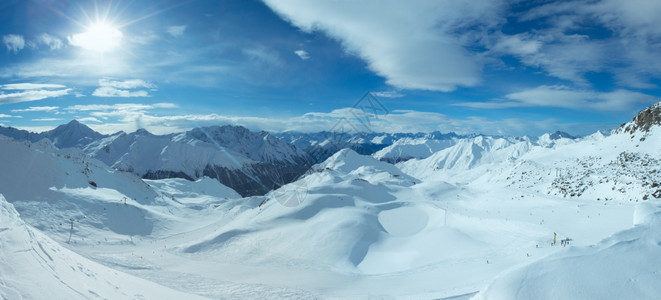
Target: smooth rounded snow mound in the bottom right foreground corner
(624,266)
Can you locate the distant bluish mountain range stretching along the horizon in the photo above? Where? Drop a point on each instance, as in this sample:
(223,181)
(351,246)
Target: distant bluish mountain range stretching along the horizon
(252,163)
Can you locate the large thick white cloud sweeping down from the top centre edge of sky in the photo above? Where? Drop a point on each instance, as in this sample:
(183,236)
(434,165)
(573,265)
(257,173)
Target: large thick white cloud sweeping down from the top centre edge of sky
(411,44)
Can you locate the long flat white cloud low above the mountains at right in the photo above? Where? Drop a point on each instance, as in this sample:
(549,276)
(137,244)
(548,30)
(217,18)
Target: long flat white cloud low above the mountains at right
(566,97)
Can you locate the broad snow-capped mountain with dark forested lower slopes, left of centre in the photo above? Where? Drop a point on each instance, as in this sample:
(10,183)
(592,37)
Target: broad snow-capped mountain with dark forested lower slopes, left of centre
(252,163)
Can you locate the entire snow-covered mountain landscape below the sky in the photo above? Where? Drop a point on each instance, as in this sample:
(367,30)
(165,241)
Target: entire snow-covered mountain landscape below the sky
(226,213)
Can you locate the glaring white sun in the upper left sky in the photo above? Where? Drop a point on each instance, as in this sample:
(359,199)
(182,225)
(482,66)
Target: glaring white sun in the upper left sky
(99,37)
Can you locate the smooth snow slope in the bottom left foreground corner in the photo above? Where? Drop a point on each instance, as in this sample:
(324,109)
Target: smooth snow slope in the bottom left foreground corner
(33,266)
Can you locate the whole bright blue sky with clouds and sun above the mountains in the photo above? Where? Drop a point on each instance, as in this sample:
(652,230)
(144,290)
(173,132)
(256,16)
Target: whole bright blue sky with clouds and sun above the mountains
(488,66)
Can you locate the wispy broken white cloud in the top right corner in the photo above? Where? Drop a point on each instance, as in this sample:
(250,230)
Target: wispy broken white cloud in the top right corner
(623,40)
